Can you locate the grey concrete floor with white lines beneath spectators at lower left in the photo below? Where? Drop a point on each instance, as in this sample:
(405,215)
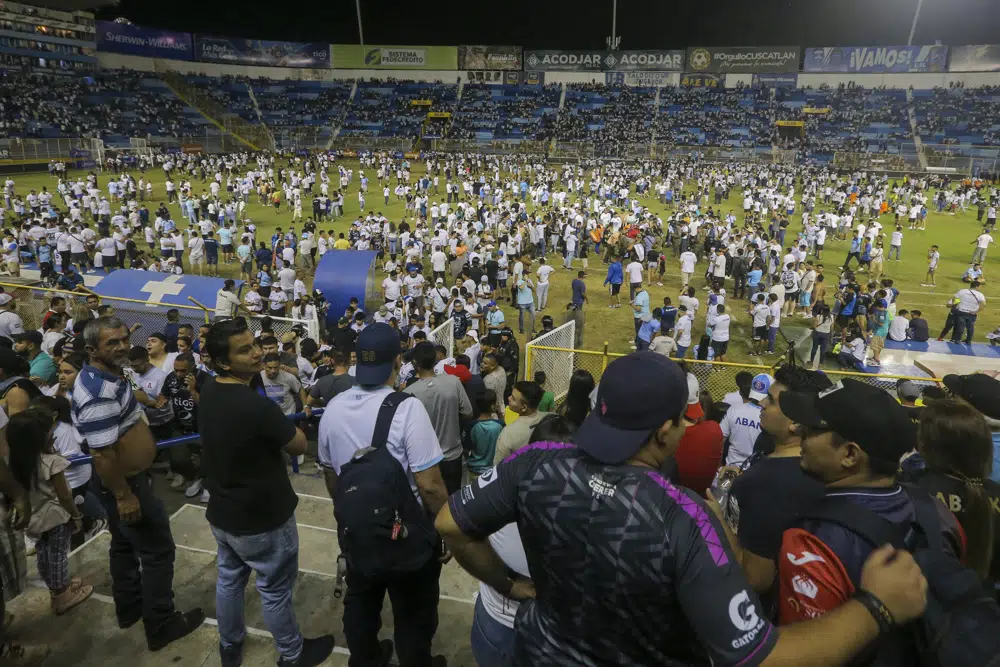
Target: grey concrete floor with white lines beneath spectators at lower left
(88,635)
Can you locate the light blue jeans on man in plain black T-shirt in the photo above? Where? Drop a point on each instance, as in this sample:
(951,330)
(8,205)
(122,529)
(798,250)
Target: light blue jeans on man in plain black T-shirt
(274,556)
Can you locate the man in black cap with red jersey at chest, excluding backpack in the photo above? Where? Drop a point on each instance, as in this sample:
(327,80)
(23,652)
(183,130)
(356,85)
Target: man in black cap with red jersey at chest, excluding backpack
(853,436)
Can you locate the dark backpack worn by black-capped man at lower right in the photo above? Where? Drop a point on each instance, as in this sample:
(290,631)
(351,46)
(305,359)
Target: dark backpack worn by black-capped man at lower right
(961,625)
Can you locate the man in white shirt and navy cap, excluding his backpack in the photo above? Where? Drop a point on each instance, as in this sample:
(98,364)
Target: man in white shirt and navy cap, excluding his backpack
(345,428)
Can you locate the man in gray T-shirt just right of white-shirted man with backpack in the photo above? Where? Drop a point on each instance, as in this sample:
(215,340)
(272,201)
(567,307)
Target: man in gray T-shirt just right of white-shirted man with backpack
(445,399)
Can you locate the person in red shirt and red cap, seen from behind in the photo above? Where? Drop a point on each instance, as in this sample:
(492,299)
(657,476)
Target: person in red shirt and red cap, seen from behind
(699,453)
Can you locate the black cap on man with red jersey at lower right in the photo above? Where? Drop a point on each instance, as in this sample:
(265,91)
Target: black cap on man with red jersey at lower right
(857,412)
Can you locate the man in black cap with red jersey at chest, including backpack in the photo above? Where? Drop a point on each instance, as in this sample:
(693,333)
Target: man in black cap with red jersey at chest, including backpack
(852,437)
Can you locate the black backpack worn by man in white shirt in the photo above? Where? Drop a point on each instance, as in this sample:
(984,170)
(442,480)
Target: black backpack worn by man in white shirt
(381,528)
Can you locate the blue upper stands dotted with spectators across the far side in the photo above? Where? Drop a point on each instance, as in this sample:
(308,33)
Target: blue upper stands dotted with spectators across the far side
(119,104)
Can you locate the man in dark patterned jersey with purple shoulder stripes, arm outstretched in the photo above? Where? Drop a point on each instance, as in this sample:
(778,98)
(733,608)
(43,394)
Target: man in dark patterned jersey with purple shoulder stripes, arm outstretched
(602,528)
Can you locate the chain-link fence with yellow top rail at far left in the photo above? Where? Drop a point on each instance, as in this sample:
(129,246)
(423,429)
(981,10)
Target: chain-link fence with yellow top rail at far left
(31,304)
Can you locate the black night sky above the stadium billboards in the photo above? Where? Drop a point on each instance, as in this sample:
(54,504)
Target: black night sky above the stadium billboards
(651,24)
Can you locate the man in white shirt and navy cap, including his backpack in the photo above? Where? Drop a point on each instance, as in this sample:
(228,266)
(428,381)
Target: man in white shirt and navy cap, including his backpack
(380,457)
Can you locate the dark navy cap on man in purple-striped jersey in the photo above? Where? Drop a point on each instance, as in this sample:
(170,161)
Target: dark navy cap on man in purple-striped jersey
(638,393)
